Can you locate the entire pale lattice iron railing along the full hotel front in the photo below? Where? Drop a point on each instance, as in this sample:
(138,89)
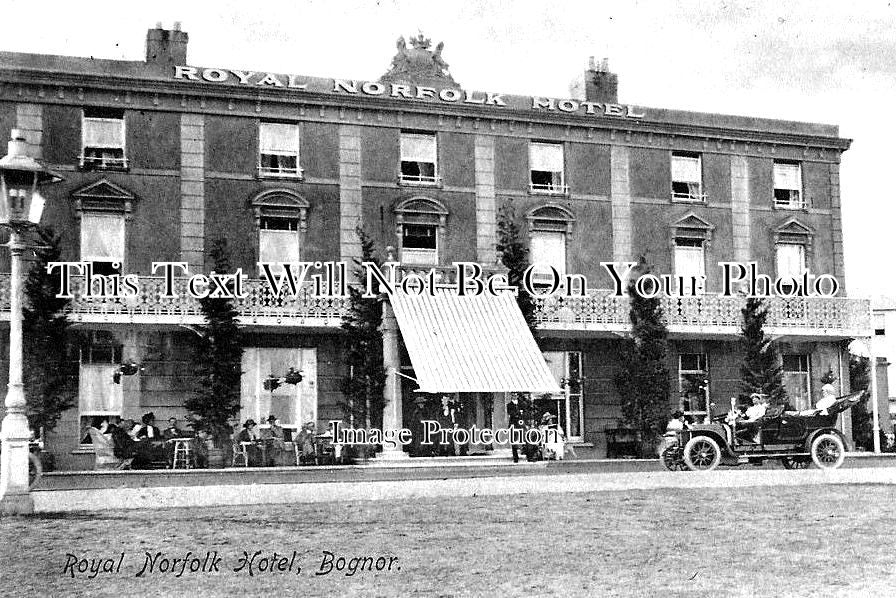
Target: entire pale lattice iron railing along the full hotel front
(599,311)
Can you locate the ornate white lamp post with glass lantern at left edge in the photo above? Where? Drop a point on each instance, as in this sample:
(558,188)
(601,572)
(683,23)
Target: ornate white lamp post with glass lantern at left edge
(20,208)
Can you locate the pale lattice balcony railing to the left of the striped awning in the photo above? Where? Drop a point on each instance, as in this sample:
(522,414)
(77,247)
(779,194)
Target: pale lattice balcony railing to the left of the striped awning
(258,308)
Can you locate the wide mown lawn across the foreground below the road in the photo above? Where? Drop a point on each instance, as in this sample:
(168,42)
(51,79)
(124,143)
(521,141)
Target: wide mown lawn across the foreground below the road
(793,541)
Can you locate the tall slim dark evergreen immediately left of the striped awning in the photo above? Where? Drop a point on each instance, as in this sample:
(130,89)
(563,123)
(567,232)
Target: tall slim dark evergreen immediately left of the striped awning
(363,386)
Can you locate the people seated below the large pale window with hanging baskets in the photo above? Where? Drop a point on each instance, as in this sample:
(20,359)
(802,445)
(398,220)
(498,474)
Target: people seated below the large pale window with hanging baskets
(265,447)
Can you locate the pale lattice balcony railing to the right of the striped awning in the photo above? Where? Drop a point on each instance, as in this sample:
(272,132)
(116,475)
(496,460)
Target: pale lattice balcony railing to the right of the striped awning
(602,313)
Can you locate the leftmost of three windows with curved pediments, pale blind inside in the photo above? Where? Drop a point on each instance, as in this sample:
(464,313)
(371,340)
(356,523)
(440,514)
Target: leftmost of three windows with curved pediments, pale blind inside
(281,221)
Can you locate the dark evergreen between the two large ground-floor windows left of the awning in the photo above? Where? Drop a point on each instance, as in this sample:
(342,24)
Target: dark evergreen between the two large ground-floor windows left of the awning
(218,358)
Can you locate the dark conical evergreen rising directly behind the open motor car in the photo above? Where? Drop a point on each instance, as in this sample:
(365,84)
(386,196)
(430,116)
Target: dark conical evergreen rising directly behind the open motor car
(761,369)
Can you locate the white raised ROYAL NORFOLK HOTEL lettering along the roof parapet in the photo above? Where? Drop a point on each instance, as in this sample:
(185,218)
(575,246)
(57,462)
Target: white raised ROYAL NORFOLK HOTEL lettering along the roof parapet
(401,91)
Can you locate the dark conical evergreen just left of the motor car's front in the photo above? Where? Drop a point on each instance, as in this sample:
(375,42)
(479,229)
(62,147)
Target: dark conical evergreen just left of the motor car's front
(643,380)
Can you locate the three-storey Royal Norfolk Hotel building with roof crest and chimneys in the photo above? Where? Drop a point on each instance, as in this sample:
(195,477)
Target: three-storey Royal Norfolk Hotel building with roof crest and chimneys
(160,158)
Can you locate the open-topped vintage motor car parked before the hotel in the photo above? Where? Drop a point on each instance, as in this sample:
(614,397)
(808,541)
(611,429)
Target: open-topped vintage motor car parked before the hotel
(796,438)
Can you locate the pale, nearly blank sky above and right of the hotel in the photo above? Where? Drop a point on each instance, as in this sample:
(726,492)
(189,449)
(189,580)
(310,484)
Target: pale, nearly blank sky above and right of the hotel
(828,62)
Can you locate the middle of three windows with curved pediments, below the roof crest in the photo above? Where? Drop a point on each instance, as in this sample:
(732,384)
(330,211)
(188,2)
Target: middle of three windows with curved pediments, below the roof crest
(420,227)
